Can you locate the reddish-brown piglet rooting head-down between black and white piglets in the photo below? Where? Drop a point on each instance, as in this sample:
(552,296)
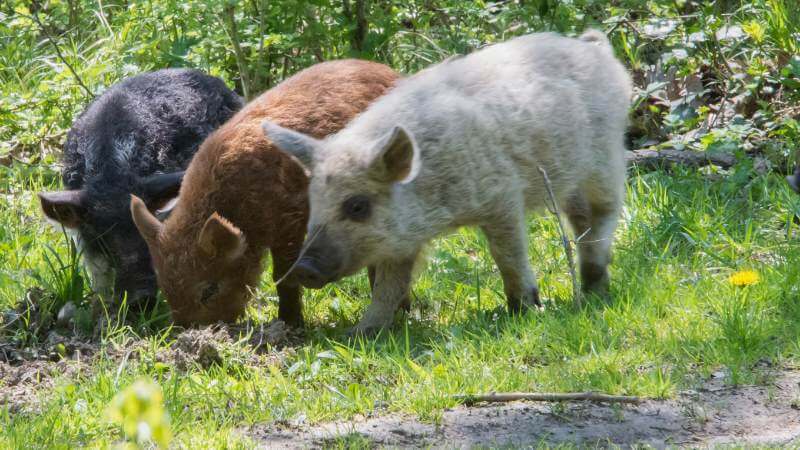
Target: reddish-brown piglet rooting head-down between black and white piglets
(241,196)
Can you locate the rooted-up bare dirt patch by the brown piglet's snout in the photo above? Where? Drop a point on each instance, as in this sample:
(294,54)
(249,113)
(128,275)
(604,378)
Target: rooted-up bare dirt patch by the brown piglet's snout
(27,369)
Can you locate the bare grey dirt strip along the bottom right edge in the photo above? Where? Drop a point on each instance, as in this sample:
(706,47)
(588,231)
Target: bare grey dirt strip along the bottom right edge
(712,415)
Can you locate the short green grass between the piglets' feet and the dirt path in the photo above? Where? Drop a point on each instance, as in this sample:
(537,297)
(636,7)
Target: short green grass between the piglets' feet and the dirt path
(672,319)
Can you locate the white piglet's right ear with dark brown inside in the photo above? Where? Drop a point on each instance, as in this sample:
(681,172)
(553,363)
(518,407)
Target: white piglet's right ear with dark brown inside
(396,158)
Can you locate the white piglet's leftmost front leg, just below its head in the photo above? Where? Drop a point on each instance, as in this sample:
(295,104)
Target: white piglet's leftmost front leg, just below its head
(391,289)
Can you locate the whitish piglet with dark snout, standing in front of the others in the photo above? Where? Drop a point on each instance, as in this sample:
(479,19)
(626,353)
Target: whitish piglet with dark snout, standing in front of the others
(461,144)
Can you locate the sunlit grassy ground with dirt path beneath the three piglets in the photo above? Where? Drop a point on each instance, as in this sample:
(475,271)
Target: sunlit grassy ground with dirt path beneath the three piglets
(678,329)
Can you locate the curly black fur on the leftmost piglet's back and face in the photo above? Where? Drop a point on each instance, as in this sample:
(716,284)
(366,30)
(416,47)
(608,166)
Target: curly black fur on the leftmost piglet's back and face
(148,124)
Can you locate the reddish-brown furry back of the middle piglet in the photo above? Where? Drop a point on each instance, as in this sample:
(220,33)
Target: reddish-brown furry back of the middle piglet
(317,101)
